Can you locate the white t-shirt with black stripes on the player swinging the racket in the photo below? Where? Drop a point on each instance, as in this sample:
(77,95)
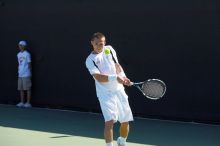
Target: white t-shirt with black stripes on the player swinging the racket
(106,66)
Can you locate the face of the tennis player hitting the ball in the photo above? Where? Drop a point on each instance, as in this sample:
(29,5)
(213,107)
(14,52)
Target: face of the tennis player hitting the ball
(98,44)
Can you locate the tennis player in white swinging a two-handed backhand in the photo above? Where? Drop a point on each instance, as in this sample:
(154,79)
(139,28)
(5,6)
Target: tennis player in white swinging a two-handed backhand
(109,78)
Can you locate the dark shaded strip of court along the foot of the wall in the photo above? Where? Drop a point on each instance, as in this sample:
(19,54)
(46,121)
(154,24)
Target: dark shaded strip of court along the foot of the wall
(143,131)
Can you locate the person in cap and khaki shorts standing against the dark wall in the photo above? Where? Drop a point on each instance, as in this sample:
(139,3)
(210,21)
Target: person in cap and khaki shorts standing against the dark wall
(24,75)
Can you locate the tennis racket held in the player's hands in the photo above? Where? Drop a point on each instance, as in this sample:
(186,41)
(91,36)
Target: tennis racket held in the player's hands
(153,88)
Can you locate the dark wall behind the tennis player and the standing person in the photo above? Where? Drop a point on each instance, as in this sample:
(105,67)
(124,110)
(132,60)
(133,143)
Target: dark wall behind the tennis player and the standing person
(177,42)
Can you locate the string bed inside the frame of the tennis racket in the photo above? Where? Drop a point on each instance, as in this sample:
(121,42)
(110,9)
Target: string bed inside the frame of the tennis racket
(153,89)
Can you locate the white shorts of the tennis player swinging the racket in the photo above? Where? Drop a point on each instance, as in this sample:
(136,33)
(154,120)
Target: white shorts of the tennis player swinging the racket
(115,106)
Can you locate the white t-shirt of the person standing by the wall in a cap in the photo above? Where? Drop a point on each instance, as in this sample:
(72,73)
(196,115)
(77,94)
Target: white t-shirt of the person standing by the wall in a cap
(24,58)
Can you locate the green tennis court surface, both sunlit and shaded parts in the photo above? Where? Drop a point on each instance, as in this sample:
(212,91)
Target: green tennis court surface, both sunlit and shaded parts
(45,127)
